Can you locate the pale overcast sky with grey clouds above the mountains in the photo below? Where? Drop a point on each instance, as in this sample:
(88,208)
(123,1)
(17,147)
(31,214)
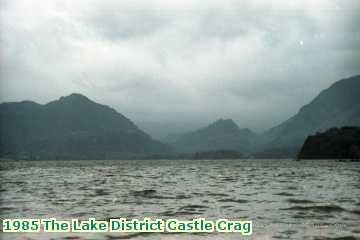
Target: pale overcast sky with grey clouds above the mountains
(171,61)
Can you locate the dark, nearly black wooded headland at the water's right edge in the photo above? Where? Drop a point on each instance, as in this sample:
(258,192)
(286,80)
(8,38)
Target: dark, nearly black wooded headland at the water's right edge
(335,143)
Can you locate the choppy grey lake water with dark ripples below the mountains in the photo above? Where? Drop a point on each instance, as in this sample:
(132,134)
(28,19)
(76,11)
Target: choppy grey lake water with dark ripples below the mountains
(285,199)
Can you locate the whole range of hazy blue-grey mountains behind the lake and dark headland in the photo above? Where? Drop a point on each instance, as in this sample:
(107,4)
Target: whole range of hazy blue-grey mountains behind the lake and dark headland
(74,127)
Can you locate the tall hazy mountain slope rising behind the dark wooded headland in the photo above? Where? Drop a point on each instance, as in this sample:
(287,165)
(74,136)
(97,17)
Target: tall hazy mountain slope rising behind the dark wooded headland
(337,106)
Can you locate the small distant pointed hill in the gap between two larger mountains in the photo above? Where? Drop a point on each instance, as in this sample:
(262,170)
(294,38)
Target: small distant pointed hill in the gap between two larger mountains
(220,135)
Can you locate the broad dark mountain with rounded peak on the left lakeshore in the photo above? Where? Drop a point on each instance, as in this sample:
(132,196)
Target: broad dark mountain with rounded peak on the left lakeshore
(73,127)
